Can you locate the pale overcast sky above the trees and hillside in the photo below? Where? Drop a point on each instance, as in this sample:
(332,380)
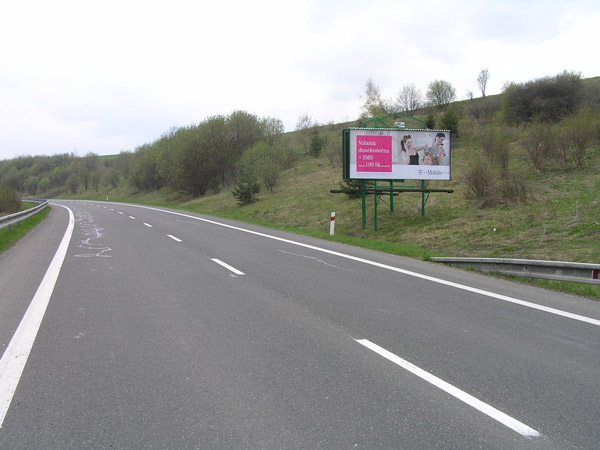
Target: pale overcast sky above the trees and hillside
(104,77)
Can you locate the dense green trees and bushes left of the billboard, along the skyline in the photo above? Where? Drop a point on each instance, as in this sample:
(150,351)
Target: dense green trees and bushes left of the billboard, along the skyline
(219,151)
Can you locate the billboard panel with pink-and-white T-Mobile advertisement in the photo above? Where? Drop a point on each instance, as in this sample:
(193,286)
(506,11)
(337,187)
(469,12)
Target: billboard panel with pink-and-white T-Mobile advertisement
(392,154)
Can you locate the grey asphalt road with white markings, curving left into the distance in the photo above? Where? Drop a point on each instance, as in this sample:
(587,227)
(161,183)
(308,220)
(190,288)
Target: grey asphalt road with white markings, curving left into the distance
(172,330)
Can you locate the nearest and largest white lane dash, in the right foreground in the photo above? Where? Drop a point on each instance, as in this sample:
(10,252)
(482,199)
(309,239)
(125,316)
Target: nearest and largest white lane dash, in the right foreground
(474,402)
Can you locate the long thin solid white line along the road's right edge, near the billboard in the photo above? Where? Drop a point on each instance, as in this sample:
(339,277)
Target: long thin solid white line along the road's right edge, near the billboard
(463,287)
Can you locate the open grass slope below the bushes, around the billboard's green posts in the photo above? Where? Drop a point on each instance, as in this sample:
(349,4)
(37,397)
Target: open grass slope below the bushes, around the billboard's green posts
(559,221)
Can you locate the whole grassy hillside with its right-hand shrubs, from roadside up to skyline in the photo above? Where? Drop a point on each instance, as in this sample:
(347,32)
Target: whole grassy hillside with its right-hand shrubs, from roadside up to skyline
(525,175)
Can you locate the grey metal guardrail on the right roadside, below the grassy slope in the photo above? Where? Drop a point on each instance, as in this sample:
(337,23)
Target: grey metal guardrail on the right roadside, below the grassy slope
(532,268)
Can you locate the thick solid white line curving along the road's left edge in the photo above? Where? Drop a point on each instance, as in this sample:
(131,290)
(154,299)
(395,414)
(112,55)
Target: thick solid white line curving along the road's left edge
(16,354)
